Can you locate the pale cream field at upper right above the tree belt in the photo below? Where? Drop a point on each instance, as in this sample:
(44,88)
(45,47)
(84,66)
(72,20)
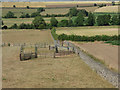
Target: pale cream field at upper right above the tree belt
(107,9)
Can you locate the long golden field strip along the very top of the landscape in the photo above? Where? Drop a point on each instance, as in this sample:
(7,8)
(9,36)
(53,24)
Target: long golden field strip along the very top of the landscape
(53,4)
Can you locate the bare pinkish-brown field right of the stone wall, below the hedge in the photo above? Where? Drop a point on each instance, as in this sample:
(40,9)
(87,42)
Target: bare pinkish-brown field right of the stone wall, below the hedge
(105,52)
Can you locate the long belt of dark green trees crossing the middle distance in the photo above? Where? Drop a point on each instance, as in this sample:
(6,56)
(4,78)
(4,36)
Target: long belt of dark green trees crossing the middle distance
(80,20)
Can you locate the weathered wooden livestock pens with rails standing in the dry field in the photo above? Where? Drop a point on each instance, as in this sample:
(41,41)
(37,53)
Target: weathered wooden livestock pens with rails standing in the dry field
(44,50)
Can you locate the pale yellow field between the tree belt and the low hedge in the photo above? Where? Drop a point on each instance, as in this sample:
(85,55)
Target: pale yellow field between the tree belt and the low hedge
(89,31)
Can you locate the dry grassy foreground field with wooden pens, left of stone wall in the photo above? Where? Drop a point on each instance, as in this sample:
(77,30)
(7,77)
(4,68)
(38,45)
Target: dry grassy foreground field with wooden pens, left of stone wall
(63,72)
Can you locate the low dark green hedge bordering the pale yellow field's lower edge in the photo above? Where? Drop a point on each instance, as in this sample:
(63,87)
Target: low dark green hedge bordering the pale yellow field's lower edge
(88,38)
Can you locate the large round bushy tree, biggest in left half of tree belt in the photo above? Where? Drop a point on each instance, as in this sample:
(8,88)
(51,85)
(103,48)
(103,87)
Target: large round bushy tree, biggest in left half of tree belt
(39,23)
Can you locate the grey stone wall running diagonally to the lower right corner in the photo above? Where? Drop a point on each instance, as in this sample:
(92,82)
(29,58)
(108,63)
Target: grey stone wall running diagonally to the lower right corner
(106,73)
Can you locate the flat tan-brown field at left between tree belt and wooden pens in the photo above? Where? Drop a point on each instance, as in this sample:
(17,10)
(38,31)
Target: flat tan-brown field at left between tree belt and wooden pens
(26,36)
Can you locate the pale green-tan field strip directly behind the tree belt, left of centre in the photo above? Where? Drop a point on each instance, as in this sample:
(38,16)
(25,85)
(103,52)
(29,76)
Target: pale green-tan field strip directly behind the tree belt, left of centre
(11,21)
